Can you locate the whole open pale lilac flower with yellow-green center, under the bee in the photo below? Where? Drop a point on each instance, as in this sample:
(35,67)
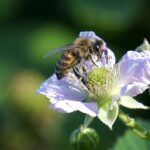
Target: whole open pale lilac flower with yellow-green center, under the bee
(107,86)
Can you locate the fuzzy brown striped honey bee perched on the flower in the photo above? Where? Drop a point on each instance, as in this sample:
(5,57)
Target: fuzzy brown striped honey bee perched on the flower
(82,48)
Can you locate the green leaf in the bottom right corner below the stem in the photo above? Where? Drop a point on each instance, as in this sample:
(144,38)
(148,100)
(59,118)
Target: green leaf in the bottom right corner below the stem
(130,141)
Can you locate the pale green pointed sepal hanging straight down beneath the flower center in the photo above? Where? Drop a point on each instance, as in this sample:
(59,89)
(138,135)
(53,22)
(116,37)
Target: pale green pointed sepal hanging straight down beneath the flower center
(107,115)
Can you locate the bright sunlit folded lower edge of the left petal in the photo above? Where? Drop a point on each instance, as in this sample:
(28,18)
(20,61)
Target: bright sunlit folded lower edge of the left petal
(67,106)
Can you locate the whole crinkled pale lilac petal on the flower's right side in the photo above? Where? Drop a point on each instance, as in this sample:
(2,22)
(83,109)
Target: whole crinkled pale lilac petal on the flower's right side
(134,74)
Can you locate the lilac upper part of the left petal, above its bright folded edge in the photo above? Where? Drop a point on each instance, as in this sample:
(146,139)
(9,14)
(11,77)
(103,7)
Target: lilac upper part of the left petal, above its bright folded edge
(60,90)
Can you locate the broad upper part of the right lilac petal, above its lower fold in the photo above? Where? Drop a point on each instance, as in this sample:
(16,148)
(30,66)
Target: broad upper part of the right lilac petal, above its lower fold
(135,67)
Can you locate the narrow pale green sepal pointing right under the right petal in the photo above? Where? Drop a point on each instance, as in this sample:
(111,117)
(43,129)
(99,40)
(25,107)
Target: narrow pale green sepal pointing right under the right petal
(130,102)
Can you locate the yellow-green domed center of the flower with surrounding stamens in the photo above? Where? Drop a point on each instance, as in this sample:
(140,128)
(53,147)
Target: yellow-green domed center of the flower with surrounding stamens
(100,83)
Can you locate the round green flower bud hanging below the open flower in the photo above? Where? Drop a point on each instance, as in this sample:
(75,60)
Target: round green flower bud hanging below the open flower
(84,139)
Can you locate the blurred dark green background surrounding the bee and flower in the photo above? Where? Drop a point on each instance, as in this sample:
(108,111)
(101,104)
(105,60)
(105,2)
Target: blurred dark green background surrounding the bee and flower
(28,30)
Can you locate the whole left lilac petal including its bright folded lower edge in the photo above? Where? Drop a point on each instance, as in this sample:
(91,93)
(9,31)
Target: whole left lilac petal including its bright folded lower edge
(66,96)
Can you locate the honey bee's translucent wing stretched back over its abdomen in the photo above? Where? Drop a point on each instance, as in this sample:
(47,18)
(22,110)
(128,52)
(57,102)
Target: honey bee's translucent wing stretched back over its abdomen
(58,50)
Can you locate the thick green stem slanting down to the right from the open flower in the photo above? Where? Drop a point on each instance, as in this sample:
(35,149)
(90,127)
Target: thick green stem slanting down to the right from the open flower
(130,122)
